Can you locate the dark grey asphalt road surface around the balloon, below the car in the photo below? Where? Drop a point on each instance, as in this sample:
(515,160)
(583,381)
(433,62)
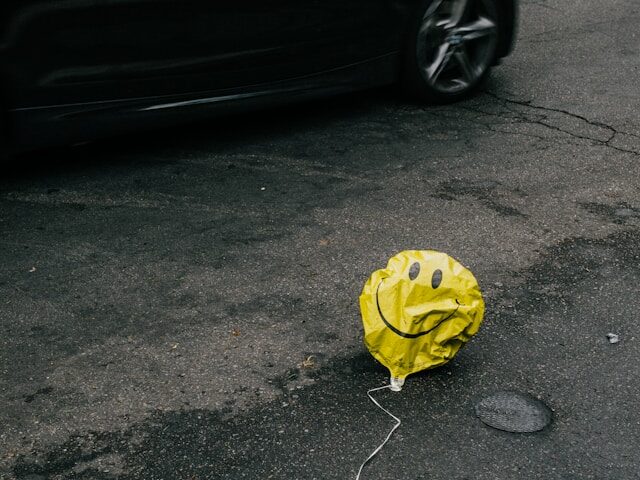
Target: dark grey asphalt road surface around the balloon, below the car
(183,304)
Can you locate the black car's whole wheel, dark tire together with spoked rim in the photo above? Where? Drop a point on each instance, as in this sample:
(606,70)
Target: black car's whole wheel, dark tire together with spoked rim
(450,48)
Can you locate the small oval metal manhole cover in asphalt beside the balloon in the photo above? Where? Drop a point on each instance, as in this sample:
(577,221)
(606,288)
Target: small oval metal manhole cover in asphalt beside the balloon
(513,412)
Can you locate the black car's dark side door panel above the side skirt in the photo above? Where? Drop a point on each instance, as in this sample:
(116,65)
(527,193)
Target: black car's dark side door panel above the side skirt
(56,52)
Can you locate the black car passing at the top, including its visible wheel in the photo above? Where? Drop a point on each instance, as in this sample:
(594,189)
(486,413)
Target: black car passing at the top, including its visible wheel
(72,70)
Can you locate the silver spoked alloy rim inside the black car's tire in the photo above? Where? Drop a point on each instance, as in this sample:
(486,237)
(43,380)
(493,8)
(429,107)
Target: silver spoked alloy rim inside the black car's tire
(456,42)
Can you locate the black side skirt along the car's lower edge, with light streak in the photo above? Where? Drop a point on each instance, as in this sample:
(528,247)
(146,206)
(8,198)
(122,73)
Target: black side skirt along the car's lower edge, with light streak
(38,127)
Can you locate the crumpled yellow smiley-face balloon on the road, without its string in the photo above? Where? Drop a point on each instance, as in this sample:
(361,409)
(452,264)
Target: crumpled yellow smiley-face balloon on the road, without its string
(408,324)
